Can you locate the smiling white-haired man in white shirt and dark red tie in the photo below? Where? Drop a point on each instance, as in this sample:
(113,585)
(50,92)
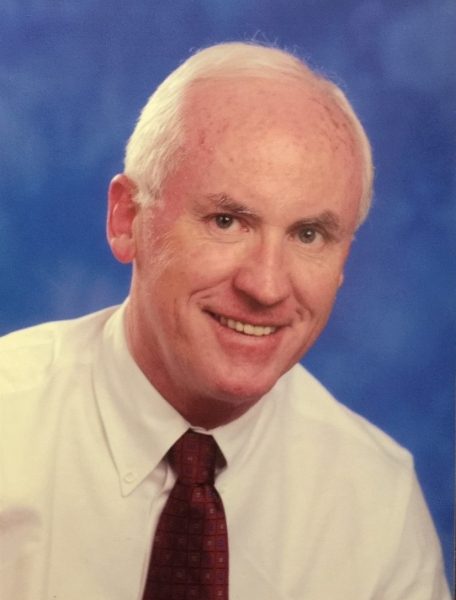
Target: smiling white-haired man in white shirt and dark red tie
(245,180)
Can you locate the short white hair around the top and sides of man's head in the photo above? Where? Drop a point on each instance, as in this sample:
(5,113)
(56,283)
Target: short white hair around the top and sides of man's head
(151,152)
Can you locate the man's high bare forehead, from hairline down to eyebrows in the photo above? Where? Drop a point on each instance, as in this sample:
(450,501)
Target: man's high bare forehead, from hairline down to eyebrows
(271,143)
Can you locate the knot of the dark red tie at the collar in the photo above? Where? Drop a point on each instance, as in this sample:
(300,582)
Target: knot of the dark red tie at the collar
(193,458)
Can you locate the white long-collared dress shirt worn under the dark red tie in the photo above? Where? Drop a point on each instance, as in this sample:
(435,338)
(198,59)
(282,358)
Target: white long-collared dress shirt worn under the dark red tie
(320,504)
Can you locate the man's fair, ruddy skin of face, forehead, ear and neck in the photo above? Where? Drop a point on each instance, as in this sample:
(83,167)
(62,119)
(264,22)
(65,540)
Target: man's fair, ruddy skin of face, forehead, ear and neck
(237,266)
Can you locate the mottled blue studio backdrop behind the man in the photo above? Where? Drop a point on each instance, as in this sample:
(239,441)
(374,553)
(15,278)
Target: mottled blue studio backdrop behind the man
(73,76)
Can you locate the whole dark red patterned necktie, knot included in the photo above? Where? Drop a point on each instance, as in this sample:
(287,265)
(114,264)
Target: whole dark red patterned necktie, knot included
(190,553)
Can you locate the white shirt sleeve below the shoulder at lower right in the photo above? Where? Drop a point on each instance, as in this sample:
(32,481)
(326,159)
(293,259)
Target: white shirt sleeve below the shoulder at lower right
(416,570)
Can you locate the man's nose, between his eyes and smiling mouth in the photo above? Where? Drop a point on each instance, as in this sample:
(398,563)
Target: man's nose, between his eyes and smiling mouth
(263,274)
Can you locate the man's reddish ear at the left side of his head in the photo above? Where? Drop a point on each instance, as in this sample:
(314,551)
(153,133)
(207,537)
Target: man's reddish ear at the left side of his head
(122,210)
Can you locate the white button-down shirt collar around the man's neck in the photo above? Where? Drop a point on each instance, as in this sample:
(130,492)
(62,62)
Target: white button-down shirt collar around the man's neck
(140,425)
